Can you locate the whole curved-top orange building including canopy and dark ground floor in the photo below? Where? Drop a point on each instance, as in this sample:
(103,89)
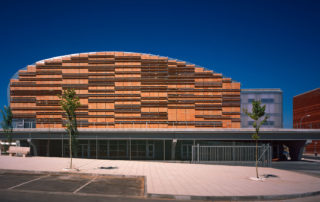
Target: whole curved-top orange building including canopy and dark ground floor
(135,106)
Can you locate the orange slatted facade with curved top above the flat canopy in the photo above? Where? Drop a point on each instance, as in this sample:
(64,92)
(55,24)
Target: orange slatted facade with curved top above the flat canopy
(126,90)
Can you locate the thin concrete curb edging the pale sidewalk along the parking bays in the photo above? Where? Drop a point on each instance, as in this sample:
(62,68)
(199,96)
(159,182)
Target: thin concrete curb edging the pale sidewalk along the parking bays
(178,197)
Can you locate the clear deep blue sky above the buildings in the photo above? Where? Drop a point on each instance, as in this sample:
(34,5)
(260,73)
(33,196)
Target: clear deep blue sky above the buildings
(262,44)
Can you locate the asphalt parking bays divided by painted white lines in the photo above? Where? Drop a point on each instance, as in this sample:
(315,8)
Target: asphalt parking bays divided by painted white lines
(72,184)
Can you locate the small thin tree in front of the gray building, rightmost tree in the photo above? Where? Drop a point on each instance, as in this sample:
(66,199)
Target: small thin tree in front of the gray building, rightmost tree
(259,118)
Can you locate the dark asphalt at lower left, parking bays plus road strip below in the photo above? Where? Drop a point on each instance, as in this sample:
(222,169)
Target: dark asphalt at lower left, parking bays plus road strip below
(16,186)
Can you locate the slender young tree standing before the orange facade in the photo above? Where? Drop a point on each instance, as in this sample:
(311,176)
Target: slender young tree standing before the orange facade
(69,103)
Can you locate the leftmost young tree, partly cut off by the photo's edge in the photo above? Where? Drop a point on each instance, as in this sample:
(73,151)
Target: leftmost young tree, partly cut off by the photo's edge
(6,123)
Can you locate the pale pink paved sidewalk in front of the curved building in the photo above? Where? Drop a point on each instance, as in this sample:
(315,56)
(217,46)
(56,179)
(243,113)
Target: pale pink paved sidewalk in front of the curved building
(183,180)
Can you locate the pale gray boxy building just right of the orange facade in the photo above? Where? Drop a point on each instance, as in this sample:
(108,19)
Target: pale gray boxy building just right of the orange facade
(272,98)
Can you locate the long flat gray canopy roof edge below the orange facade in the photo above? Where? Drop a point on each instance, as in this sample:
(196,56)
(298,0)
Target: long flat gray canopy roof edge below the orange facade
(168,133)
